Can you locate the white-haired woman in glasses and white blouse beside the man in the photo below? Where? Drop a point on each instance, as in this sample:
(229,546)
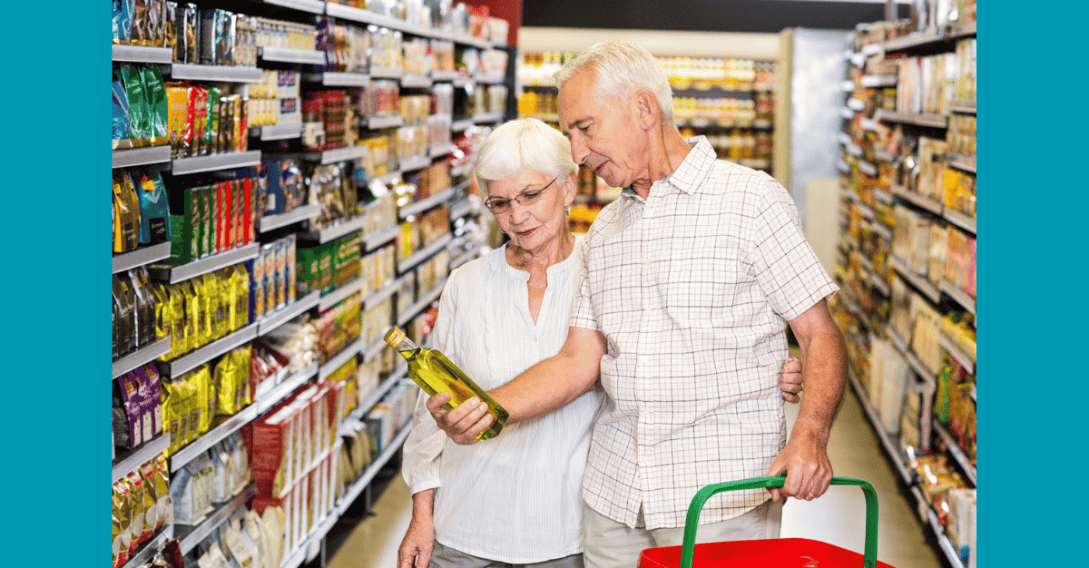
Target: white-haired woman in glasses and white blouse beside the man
(516,500)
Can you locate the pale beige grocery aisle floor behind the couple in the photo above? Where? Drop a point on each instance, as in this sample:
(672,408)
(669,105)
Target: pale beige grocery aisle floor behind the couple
(837,518)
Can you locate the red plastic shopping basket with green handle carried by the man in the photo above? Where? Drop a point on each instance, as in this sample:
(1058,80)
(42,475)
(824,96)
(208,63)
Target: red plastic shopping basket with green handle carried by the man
(781,553)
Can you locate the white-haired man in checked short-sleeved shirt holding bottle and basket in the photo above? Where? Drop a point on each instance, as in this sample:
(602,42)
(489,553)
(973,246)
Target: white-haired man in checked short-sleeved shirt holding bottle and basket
(690,281)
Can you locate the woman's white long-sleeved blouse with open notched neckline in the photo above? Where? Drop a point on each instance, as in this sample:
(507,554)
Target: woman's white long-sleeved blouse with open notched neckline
(515,499)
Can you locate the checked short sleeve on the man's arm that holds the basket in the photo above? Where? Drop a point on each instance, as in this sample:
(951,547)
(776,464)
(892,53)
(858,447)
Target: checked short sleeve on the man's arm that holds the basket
(788,270)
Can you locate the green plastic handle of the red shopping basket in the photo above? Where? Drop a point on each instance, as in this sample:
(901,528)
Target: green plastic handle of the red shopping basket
(688,549)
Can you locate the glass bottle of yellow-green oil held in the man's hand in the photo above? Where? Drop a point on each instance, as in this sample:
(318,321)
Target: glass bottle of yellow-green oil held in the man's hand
(435,375)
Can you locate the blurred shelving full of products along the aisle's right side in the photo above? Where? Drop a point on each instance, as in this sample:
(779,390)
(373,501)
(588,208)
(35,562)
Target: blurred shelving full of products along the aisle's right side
(909,261)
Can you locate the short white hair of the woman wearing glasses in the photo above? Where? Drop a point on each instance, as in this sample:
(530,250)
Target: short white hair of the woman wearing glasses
(521,145)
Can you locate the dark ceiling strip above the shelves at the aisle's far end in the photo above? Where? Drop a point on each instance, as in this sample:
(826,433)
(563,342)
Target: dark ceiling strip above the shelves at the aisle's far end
(704,16)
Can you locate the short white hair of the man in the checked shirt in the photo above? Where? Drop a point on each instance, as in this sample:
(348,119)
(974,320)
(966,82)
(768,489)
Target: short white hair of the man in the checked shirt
(622,69)
